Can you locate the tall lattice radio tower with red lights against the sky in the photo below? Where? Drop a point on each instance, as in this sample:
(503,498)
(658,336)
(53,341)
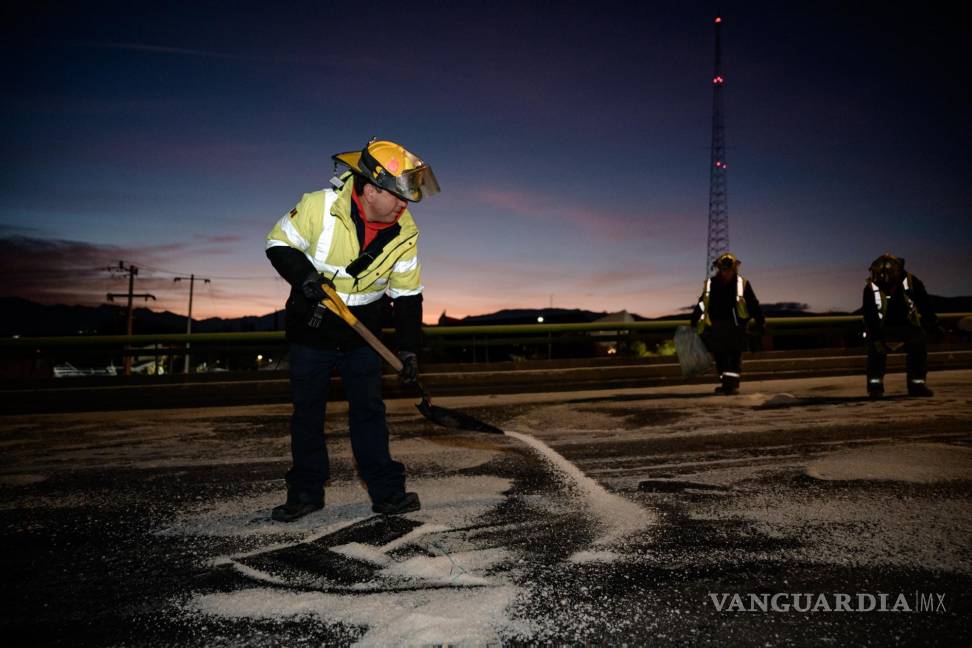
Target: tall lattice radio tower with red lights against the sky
(718,201)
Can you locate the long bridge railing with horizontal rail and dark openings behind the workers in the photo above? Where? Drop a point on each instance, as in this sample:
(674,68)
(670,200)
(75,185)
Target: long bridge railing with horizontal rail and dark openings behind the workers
(164,353)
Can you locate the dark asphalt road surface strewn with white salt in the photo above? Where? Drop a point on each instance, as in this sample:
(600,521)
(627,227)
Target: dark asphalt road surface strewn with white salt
(796,513)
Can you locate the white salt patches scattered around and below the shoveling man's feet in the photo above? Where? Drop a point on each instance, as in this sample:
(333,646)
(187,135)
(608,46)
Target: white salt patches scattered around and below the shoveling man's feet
(450,597)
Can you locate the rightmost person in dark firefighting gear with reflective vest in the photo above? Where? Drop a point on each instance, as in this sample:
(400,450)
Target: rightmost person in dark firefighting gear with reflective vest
(896,312)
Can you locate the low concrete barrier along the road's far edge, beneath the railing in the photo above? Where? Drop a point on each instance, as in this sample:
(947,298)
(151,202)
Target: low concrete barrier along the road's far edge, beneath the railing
(146,392)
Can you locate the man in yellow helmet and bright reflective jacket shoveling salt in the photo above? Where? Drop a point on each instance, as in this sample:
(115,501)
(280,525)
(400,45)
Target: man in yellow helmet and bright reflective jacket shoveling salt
(361,238)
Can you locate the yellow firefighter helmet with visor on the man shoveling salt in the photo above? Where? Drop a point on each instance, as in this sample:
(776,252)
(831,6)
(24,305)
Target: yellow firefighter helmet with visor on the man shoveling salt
(391,167)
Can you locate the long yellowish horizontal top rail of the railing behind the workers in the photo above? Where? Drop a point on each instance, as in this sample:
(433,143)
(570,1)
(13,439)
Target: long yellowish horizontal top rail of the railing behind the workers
(78,341)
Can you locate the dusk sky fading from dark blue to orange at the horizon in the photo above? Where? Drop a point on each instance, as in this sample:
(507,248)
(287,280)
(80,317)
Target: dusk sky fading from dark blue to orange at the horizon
(570,139)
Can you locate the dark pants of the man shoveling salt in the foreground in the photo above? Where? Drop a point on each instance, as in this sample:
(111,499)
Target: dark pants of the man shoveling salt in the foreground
(310,378)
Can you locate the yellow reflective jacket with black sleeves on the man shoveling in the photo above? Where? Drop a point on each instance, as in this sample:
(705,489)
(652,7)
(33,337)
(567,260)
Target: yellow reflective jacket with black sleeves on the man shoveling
(324,232)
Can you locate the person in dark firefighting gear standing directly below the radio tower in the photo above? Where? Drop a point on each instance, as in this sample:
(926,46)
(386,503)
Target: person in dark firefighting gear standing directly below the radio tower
(727,312)
